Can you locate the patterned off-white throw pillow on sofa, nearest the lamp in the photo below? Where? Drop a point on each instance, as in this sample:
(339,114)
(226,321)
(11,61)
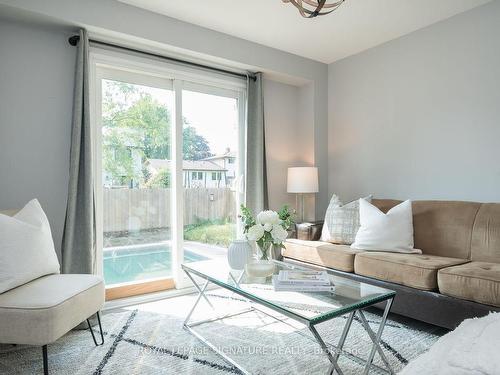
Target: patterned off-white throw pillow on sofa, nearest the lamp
(341,221)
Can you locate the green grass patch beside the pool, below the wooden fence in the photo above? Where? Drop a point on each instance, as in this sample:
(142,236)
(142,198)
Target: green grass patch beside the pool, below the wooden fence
(211,232)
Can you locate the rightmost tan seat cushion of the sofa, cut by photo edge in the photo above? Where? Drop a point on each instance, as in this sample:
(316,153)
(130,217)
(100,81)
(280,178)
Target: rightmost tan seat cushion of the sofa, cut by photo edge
(474,281)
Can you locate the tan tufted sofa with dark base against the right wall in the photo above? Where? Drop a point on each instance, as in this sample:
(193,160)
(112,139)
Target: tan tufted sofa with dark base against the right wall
(456,277)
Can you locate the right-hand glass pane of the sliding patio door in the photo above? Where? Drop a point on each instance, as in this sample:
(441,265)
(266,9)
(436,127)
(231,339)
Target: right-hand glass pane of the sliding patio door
(211,171)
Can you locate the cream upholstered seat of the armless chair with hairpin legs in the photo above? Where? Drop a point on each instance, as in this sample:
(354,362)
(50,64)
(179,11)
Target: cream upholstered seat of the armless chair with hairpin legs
(41,311)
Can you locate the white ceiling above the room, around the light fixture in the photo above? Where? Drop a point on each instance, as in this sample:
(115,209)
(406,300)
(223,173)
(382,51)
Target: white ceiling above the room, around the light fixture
(356,26)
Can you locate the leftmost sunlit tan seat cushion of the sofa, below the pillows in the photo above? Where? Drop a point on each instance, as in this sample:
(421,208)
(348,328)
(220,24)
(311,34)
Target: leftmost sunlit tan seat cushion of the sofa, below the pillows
(339,257)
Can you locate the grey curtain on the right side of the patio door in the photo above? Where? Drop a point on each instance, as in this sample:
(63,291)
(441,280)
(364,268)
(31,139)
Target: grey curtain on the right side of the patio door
(256,171)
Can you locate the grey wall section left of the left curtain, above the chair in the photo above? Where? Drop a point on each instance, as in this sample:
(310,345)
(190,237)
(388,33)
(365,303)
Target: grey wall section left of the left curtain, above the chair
(36,90)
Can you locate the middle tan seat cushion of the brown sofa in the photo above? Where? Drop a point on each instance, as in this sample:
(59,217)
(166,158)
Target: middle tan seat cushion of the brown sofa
(413,270)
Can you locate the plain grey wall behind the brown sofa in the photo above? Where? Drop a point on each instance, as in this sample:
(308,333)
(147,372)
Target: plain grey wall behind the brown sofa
(419,117)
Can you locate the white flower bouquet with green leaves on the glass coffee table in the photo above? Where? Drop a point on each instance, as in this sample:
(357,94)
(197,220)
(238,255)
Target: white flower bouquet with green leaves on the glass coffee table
(268,229)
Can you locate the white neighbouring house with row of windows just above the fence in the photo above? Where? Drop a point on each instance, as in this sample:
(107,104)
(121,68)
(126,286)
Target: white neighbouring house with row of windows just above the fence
(195,173)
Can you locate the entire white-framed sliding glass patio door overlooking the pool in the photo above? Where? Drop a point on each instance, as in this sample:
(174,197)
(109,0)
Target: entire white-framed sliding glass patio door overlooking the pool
(168,151)
